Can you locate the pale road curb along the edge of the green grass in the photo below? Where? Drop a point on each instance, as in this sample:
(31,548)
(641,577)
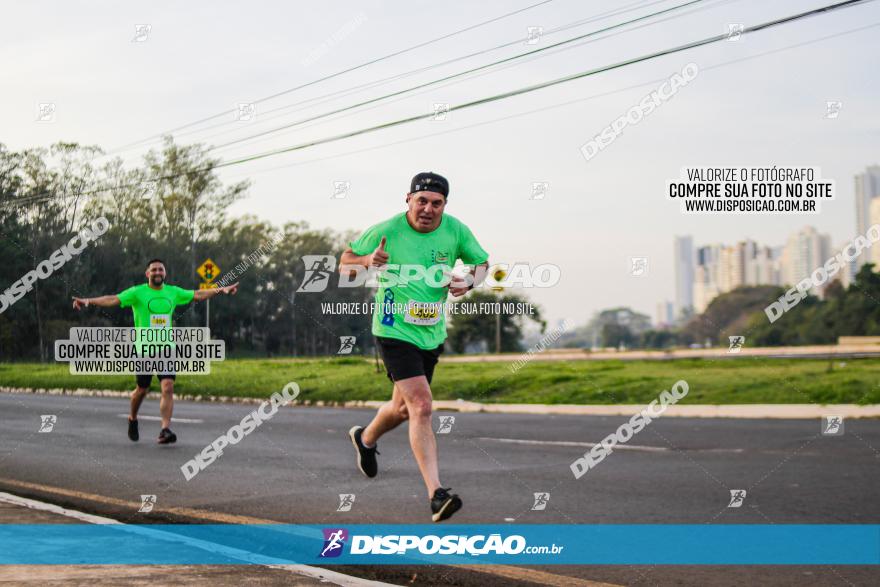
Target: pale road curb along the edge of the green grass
(758,411)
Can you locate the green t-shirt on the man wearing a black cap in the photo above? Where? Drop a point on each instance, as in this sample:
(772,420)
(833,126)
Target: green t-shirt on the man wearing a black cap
(413,312)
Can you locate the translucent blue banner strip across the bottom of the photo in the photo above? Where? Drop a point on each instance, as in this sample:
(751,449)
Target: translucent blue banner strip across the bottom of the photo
(521,544)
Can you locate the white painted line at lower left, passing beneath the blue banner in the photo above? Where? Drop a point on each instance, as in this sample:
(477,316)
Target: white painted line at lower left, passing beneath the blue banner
(305,570)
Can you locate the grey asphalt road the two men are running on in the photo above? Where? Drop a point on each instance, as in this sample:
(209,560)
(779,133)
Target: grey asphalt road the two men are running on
(293,468)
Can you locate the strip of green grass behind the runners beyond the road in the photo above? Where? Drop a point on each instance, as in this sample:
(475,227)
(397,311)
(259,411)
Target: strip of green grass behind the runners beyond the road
(732,381)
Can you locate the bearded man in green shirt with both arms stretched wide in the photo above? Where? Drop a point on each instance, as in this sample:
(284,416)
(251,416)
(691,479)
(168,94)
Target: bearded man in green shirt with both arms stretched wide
(153,305)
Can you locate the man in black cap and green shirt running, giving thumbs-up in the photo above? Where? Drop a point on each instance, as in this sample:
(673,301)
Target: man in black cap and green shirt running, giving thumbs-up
(409,320)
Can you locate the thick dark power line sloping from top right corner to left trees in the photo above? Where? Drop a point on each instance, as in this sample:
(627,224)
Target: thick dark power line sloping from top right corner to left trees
(527,89)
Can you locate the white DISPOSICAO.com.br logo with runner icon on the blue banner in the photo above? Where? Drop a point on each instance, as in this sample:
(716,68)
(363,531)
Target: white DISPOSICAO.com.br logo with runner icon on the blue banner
(431,544)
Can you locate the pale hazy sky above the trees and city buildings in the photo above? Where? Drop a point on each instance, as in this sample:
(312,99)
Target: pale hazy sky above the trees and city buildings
(201,58)
